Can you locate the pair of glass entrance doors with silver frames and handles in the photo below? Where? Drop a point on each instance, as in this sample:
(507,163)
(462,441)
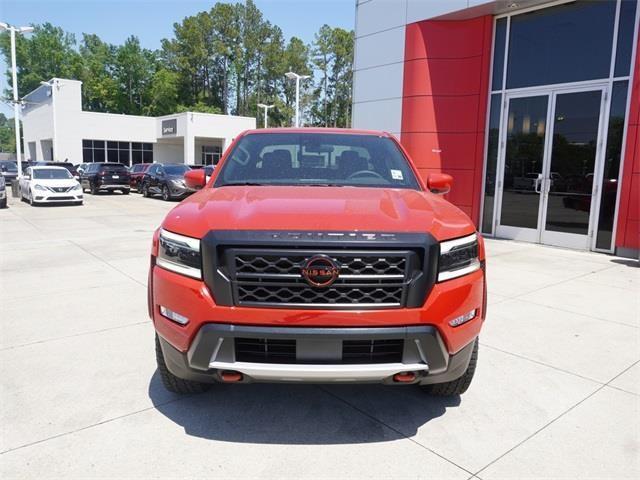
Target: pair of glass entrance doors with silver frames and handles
(548,168)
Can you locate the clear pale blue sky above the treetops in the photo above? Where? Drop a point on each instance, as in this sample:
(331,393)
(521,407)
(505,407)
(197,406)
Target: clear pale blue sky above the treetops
(151,21)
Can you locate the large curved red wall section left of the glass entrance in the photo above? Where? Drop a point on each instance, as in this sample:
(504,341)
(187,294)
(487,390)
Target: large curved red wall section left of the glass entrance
(444,108)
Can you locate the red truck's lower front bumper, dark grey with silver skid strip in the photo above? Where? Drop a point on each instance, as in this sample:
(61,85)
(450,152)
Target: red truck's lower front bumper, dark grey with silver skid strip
(213,352)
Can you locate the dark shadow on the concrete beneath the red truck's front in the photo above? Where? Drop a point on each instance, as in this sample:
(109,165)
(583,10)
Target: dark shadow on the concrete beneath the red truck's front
(301,414)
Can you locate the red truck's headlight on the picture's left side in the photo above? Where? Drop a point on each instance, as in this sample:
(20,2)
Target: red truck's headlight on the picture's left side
(179,254)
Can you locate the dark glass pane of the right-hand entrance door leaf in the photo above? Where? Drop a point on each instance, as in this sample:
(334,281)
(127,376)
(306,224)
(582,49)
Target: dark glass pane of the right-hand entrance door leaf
(573,158)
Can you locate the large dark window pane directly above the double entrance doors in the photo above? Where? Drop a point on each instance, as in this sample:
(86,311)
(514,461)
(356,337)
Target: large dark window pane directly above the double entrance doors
(566,43)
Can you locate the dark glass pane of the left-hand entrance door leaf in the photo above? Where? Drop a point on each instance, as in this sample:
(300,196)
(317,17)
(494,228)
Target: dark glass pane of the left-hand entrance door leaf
(526,129)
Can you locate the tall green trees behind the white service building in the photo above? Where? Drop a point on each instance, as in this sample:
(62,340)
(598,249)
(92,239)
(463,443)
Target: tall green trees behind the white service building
(225,60)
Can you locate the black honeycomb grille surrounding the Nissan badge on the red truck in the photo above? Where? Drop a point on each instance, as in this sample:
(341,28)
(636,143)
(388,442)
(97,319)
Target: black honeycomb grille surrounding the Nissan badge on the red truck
(367,279)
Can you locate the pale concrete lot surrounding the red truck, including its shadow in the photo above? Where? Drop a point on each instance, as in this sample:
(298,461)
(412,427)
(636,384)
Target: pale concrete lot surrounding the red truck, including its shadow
(556,394)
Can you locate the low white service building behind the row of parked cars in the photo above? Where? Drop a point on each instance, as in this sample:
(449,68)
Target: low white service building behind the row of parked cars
(56,128)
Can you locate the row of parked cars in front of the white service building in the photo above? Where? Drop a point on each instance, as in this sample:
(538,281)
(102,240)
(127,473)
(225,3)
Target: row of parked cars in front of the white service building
(63,182)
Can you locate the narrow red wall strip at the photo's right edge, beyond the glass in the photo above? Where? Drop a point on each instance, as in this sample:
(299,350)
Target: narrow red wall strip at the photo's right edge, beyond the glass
(628,225)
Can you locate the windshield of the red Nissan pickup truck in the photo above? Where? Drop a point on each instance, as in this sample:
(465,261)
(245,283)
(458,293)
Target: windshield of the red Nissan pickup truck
(317,159)
